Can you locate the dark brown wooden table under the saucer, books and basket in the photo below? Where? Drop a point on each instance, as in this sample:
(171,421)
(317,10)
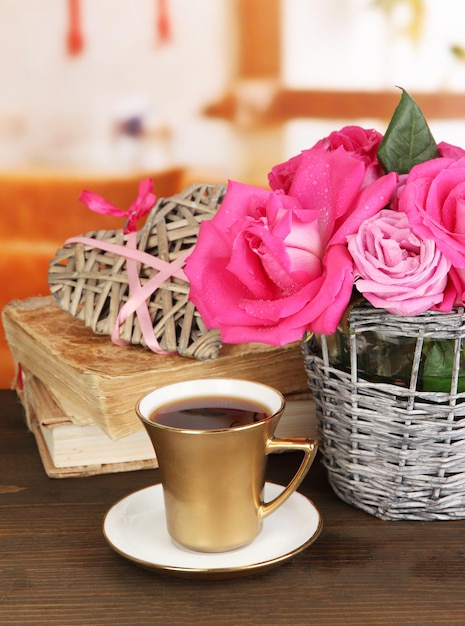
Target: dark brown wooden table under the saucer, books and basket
(57,569)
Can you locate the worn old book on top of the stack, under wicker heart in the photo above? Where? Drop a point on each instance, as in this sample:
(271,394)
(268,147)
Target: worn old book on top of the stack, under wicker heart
(97,383)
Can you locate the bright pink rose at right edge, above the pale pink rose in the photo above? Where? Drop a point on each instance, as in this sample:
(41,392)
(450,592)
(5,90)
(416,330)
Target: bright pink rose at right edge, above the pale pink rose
(434,199)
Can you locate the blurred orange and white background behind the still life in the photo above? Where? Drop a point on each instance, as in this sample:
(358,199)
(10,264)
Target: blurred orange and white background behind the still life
(98,94)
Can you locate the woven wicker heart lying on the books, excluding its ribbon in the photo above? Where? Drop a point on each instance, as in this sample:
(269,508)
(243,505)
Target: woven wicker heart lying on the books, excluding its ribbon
(92,284)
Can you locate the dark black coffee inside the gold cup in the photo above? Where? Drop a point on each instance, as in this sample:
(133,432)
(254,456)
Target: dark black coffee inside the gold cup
(209,413)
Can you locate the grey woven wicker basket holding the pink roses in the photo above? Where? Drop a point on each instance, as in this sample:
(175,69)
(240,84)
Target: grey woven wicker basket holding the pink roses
(395,450)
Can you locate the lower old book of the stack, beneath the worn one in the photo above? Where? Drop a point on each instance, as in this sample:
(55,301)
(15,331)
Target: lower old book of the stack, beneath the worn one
(67,449)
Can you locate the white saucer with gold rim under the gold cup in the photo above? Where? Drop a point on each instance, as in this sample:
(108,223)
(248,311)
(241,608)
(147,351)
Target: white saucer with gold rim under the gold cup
(135,528)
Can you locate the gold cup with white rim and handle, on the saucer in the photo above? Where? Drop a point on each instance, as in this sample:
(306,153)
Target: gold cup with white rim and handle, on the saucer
(213,480)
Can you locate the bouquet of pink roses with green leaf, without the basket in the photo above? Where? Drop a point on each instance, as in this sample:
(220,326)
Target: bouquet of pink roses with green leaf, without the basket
(358,214)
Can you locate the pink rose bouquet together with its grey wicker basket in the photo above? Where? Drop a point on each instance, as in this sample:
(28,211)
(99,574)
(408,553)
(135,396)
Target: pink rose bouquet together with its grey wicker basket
(358,246)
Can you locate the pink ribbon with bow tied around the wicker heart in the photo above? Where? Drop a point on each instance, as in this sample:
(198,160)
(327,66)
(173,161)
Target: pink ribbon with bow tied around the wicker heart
(139,294)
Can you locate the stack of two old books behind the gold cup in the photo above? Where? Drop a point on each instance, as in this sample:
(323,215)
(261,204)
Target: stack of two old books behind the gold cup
(79,390)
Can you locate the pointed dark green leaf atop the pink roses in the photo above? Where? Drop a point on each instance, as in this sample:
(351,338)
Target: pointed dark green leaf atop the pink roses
(408,140)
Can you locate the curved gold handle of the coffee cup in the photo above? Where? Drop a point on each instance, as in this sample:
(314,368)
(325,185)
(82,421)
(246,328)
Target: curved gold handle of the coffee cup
(309,448)
